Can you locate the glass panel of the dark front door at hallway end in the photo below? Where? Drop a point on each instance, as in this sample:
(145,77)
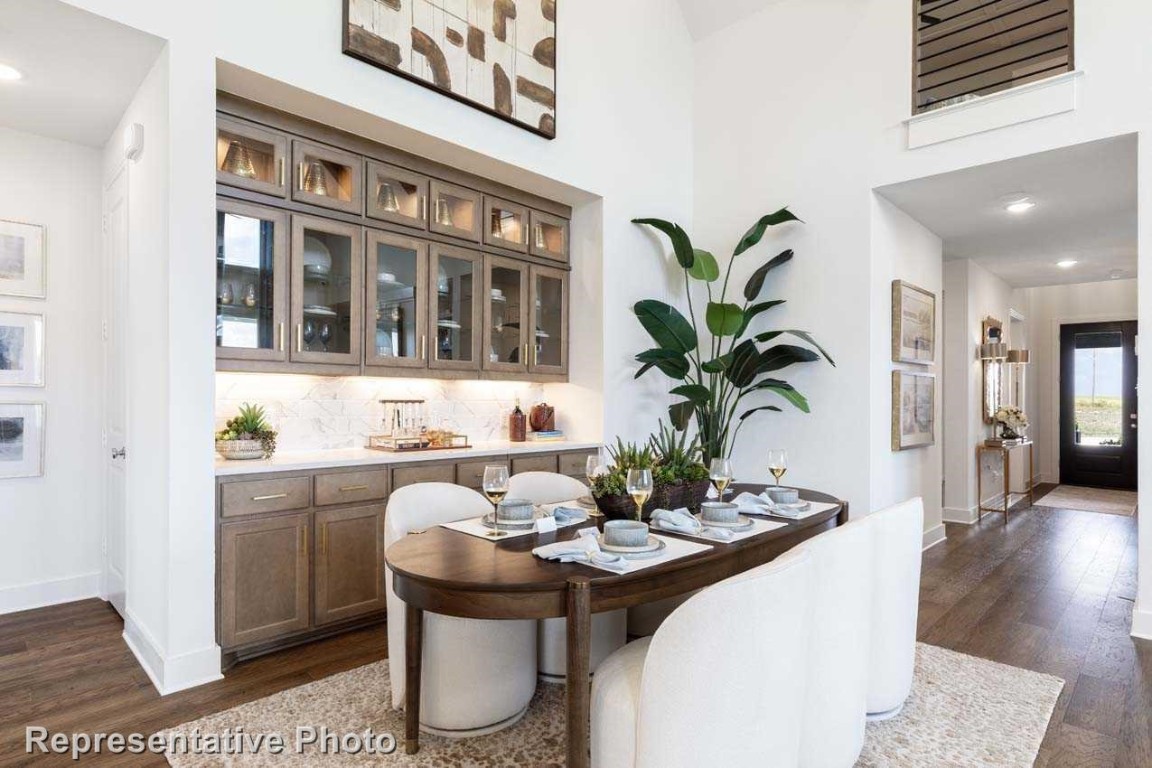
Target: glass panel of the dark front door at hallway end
(1098,389)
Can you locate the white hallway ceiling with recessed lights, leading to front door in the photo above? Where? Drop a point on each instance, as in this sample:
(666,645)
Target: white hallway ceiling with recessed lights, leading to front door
(1086,210)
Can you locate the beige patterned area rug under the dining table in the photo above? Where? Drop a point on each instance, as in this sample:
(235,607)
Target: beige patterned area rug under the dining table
(964,712)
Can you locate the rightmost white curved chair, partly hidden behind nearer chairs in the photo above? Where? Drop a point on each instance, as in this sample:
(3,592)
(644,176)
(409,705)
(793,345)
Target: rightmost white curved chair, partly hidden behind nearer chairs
(898,542)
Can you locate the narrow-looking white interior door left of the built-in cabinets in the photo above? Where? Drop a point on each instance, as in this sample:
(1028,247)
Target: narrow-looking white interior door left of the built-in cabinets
(116,389)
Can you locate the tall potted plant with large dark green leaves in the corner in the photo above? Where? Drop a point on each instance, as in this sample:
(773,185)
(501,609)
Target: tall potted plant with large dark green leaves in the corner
(715,382)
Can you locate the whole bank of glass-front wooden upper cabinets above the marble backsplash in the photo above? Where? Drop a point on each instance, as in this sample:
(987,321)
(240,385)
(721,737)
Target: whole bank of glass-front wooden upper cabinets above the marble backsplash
(331,261)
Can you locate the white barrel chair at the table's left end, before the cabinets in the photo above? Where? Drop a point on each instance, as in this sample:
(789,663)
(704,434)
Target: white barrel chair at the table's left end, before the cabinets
(479,675)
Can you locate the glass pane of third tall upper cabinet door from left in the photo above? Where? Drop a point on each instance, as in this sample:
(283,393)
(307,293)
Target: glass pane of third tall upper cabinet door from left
(396,301)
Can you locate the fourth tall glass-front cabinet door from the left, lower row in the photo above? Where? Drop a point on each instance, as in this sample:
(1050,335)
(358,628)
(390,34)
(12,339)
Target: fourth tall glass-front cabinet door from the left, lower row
(456,279)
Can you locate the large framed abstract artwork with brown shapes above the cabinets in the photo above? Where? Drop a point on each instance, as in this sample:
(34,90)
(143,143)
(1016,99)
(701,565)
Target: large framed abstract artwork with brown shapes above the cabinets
(497,56)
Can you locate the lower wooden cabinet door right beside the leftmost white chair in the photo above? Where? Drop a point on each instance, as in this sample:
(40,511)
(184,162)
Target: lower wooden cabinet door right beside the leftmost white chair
(350,562)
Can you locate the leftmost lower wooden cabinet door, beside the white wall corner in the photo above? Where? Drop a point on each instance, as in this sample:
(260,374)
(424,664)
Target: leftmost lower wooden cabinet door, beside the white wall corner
(264,579)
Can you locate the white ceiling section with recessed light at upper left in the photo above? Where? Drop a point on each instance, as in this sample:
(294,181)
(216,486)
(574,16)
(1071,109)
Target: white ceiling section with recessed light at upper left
(80,70)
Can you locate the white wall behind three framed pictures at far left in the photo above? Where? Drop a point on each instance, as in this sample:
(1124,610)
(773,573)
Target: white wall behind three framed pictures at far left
(50,550)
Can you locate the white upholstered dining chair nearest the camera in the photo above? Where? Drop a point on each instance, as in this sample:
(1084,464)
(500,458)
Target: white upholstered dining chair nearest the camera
(721,683)
